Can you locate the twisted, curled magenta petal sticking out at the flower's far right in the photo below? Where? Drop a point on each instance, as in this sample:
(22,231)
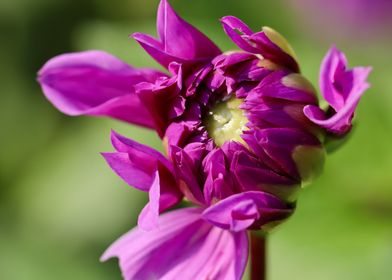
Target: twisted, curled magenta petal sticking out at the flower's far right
(342,88)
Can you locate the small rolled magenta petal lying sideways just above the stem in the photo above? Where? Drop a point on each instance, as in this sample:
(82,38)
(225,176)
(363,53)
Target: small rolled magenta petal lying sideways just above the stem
(240,211)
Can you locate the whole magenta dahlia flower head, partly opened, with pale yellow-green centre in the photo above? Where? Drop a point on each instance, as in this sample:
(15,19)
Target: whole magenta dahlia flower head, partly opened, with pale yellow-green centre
(242,132)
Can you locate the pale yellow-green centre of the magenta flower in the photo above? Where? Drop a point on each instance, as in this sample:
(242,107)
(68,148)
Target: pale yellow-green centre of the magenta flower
(226,121)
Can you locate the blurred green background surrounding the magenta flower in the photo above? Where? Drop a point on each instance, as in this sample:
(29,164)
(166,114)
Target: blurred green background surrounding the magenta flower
(61,206)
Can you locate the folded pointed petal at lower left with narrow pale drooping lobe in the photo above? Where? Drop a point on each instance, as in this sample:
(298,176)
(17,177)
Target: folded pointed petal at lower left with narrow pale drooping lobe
(146,170)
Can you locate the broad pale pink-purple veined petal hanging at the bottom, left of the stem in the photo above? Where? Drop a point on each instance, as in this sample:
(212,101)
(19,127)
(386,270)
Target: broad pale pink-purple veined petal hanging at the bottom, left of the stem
(184,244)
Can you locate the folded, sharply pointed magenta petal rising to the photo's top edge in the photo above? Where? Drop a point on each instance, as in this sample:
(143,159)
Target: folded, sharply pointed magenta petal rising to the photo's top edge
(178,40)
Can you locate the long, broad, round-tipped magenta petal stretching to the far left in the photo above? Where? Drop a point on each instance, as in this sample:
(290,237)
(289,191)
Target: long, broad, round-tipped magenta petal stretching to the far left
(96,83)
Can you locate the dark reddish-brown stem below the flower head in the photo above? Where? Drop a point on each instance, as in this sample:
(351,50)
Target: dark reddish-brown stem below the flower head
(258,256)
